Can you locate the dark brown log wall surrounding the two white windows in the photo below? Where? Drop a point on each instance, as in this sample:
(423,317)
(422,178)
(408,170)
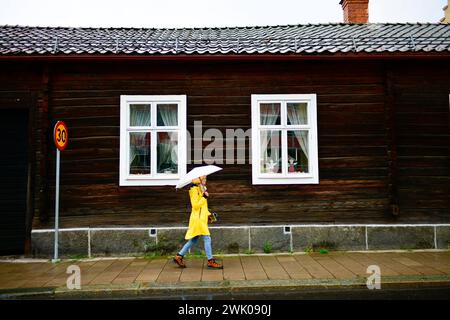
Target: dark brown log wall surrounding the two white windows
(357,175)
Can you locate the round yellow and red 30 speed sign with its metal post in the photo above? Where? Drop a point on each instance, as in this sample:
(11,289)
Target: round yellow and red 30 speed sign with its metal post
(60,135)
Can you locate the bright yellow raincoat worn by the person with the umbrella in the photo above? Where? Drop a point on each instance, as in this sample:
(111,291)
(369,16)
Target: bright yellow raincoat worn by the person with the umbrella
(198,222)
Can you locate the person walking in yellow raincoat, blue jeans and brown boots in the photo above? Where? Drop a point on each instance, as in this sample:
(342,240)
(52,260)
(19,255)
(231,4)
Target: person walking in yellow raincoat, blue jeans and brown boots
(198,224)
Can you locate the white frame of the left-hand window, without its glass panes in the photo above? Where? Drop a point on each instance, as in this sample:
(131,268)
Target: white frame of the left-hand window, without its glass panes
(154,179)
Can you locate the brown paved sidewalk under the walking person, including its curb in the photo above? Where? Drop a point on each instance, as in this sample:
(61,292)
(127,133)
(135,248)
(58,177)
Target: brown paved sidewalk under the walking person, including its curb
(139,276)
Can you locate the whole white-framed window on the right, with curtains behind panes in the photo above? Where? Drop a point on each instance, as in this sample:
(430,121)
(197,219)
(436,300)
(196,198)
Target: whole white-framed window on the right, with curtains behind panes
(284,139)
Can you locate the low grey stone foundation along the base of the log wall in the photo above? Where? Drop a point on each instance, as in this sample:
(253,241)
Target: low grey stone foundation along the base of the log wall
(242,239)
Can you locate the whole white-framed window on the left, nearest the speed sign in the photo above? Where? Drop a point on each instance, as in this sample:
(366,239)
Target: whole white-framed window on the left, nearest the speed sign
(152,139)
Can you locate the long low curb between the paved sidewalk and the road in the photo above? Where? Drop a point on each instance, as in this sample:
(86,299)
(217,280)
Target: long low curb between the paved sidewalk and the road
(153,289)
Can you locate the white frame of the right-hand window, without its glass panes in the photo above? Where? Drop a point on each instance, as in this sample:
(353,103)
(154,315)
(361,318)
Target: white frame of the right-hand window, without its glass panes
(312,177)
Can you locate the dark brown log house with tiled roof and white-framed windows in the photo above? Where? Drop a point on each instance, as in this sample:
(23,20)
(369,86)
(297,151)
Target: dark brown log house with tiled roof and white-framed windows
(379,94)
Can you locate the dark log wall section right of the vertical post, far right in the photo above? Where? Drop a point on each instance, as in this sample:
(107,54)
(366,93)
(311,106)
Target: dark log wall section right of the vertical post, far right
(422,96)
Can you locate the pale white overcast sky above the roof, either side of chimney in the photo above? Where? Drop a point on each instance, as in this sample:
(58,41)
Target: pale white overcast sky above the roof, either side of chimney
(205,13)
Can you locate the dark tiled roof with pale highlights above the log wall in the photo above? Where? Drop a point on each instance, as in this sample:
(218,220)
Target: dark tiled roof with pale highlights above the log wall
(305,39)
